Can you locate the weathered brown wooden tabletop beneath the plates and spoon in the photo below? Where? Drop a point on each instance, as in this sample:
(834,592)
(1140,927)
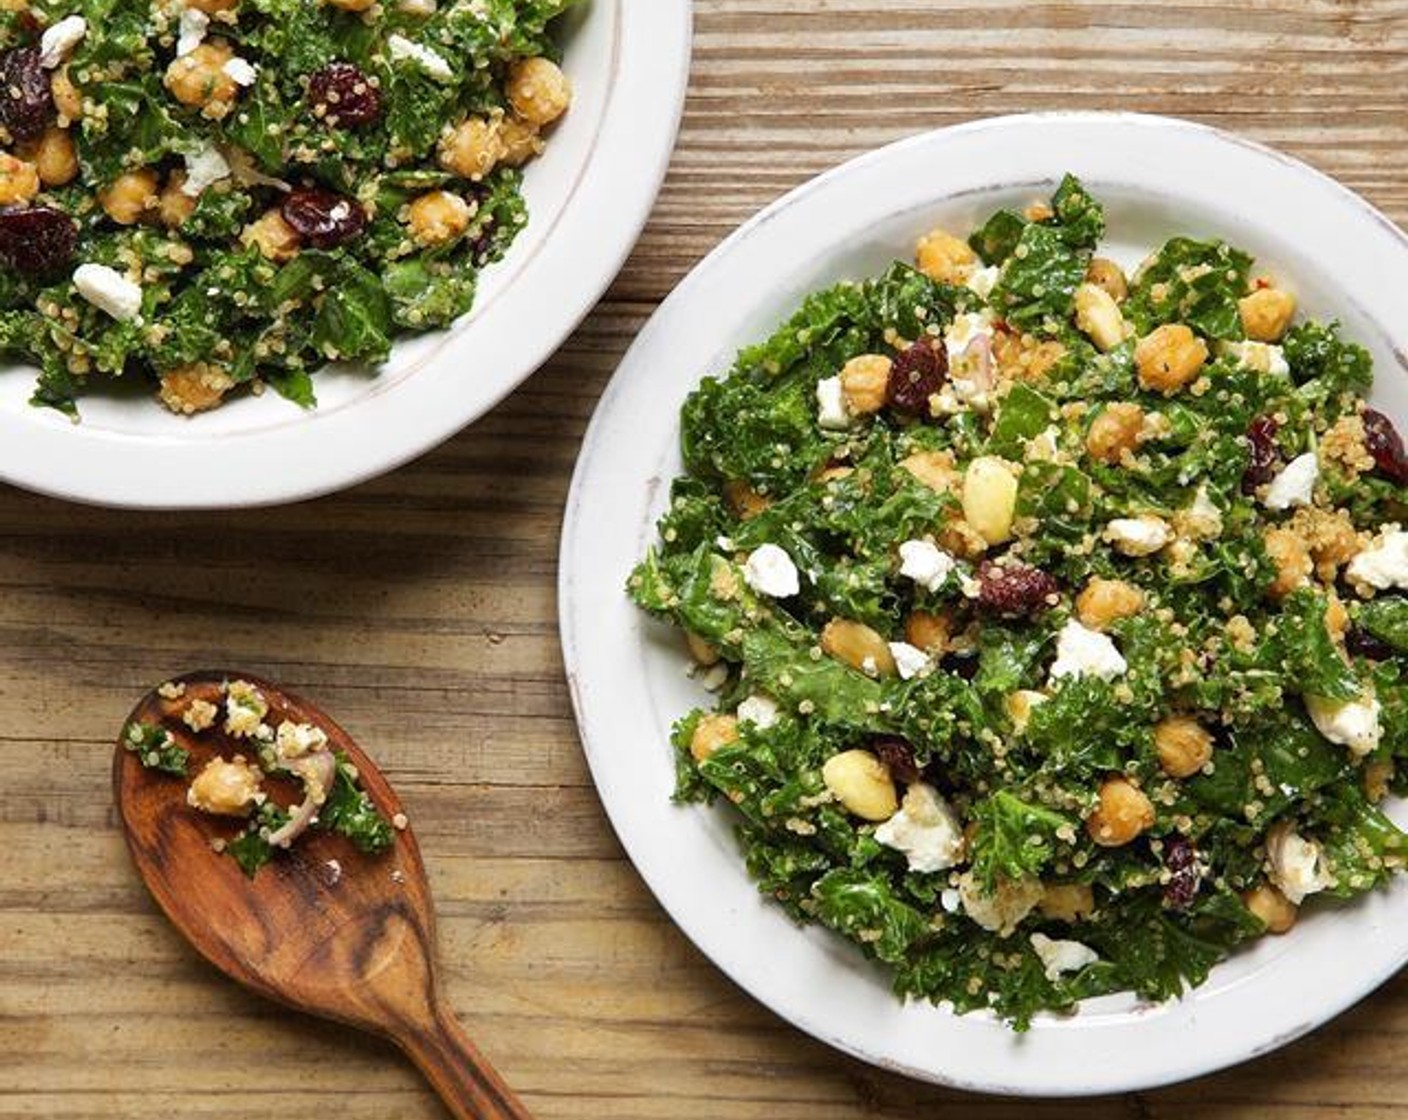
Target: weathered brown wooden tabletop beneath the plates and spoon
(420,612)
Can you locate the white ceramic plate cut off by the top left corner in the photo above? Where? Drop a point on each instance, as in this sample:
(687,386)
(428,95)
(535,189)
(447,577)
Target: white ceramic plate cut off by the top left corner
(588,198)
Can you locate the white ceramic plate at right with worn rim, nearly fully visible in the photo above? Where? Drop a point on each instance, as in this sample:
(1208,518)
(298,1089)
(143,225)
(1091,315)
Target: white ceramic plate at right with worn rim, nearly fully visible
(1157,177)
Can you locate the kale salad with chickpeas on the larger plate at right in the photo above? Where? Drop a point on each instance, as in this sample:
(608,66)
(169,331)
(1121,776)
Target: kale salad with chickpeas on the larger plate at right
(1055,615)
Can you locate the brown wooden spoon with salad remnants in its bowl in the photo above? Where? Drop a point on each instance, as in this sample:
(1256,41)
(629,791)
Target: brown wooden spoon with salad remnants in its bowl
(322,928)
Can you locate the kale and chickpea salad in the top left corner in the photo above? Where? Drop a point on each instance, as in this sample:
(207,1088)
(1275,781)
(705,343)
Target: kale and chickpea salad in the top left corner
(209,195)
